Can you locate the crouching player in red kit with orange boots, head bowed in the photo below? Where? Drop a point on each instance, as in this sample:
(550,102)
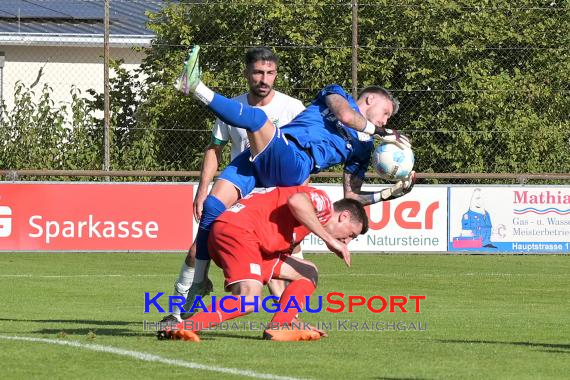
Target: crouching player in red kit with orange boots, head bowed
(252,242)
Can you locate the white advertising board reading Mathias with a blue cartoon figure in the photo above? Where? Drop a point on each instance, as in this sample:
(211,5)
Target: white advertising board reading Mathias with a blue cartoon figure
(525,219)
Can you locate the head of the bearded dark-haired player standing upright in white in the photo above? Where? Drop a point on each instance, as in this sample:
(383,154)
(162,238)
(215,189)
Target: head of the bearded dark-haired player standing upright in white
(260,72)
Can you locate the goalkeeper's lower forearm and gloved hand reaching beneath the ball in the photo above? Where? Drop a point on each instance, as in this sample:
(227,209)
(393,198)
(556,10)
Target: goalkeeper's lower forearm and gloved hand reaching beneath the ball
(352,186)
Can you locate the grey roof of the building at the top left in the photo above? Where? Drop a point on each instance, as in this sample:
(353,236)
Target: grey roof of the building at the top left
(74,20)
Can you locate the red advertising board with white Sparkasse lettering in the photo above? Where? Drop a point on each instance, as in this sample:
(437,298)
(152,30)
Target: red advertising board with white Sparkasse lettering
(92,217)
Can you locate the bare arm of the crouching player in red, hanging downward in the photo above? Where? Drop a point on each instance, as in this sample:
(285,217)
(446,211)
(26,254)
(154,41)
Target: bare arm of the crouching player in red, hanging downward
(303,210)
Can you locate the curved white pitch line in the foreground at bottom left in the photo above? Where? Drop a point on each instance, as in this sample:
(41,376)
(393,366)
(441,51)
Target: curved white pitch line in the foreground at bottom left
(149,357)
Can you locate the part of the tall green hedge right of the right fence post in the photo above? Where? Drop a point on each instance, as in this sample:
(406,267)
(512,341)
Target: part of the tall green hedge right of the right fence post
(483,84)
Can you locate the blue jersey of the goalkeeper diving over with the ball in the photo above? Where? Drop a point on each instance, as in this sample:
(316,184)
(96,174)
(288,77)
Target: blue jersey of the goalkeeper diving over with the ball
(330,142)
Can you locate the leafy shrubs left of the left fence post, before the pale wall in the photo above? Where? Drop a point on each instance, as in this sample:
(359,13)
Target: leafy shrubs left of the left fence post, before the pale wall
(37,134)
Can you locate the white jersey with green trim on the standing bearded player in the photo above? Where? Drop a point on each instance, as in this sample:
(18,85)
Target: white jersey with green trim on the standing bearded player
(280,110)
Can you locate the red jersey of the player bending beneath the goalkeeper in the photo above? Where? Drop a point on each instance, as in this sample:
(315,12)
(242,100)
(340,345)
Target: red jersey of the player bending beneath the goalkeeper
(265,213)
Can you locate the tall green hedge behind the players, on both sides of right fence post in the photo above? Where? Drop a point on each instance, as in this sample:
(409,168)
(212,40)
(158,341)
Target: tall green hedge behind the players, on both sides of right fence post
(481,83)
